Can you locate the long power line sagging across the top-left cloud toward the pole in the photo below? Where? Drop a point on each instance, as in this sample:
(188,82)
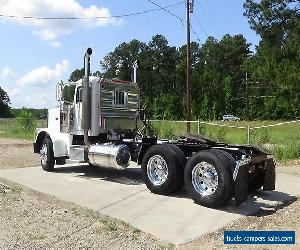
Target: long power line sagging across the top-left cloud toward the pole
(95,17)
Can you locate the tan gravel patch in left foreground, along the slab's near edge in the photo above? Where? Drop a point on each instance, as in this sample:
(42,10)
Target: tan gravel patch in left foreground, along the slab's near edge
(27,222)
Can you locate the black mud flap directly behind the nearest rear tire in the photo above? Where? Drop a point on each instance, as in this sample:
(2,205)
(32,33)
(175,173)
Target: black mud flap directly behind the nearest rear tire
(241,185)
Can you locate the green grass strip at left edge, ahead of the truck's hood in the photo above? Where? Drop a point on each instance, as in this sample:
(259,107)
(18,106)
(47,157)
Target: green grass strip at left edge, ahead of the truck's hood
(9,128)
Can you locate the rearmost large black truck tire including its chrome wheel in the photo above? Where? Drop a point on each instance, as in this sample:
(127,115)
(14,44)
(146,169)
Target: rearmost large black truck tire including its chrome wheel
(208,178)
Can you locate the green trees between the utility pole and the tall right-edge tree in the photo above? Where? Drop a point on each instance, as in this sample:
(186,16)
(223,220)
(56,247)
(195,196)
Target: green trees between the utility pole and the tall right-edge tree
(217,76)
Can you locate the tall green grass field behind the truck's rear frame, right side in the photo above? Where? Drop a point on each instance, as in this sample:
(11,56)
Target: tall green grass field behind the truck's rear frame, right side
(282,141)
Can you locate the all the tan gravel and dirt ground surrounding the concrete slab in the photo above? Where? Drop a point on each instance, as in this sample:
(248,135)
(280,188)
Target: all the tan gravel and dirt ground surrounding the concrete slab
(28,222)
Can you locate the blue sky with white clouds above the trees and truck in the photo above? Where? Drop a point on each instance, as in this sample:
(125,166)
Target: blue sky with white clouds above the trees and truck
(36,54)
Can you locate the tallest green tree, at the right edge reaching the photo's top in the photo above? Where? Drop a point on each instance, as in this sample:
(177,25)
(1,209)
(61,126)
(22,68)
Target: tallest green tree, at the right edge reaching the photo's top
(274,67)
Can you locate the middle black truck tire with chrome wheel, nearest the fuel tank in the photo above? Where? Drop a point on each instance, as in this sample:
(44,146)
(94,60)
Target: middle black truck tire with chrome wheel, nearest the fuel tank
(159,169)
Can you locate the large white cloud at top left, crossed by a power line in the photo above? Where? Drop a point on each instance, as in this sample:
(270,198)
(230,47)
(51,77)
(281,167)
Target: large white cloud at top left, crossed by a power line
(50,30)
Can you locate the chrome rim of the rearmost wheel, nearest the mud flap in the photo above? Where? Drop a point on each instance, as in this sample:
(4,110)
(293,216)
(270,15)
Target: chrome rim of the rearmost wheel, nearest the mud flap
(205,178)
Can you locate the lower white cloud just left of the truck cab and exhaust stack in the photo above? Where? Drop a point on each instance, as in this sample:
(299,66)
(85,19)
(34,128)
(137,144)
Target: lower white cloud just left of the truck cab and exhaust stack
(43,76)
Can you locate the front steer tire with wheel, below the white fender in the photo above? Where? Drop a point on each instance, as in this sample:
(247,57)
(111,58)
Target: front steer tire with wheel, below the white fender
(47,155)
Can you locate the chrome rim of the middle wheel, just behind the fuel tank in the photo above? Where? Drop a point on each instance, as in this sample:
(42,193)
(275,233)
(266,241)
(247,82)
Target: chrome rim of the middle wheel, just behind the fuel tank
(157,170)
